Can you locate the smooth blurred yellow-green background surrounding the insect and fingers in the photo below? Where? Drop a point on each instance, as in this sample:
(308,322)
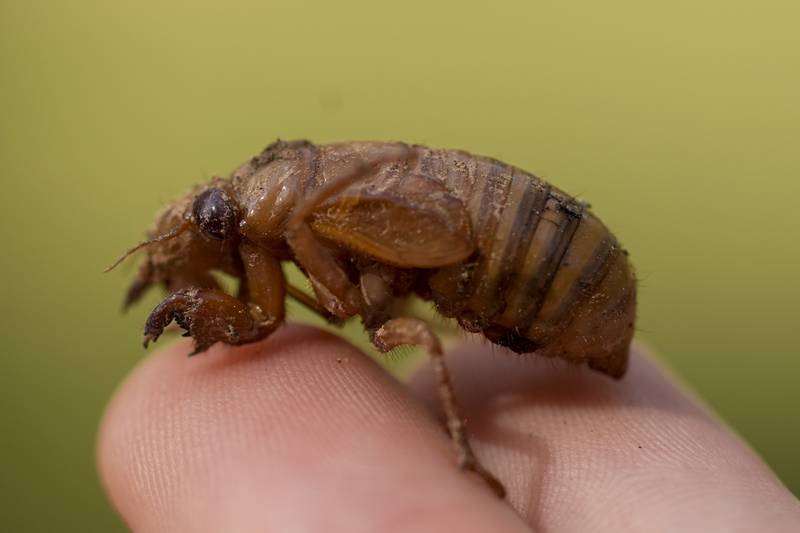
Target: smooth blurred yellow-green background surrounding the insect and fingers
(679,121)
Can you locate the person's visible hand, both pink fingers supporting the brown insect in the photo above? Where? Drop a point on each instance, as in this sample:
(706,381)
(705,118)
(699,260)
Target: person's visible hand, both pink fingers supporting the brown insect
(302,432)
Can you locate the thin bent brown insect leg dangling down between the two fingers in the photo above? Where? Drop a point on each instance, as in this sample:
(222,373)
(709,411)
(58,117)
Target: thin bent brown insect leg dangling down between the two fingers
(413,331)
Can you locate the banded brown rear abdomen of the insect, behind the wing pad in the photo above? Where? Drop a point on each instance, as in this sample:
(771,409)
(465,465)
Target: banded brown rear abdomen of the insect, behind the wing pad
(545,268)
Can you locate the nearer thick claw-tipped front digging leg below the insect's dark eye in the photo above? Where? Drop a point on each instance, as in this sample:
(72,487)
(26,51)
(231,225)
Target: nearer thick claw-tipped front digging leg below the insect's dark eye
(211,315)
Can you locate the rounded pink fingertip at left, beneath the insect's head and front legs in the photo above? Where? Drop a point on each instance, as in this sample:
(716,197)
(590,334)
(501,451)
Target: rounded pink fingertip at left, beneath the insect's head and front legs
(300,431)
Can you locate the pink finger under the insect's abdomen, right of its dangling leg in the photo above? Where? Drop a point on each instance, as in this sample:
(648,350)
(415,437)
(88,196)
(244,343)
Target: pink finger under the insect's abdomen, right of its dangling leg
(581,452)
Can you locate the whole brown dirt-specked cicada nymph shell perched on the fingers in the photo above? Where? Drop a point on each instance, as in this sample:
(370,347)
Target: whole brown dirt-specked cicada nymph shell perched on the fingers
(370,223)
